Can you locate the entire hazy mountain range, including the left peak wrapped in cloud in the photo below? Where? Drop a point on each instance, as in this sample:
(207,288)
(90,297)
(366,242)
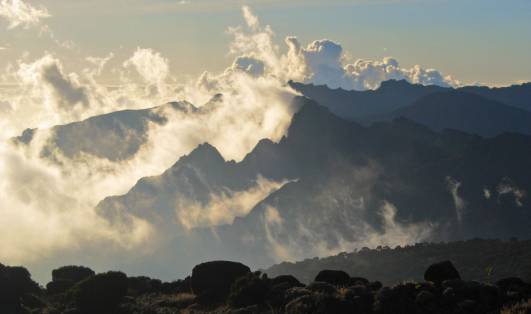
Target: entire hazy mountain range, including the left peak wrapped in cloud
(398,165)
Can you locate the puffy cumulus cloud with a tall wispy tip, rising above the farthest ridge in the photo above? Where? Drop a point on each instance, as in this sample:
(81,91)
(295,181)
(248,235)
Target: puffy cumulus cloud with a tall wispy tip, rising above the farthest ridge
(321,62)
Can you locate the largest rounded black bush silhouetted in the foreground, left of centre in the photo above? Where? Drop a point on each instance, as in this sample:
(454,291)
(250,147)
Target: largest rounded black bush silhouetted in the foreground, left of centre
(212,281)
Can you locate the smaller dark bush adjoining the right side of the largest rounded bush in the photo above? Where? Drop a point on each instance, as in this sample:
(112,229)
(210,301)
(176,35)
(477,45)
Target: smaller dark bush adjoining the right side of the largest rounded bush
(249,290)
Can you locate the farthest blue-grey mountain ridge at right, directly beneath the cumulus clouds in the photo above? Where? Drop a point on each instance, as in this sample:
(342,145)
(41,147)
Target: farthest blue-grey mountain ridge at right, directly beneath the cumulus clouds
(481,110)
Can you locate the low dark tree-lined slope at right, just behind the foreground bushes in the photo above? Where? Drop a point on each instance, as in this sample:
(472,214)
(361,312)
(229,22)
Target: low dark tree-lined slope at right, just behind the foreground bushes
(480,259)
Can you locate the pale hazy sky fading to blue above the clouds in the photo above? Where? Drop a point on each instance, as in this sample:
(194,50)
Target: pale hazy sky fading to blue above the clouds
(484,41)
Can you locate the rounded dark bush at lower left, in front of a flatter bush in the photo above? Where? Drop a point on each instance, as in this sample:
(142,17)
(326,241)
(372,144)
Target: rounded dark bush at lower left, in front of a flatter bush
(100,293)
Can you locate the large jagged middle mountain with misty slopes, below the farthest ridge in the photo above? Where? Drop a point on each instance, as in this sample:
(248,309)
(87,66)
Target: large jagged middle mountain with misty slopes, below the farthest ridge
(349,185)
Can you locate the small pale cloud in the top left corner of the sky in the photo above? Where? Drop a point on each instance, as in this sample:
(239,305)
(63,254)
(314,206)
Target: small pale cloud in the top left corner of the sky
(20,13)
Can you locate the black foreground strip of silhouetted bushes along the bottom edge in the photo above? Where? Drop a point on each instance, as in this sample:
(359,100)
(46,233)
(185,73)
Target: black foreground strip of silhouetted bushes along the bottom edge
(231,287)
